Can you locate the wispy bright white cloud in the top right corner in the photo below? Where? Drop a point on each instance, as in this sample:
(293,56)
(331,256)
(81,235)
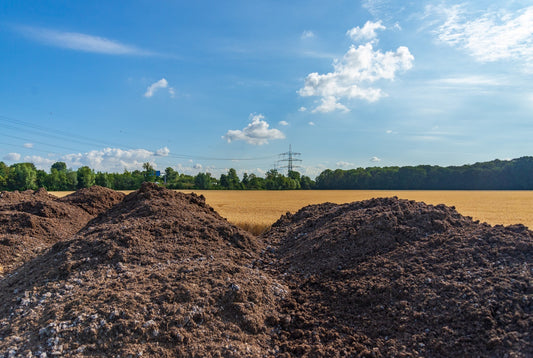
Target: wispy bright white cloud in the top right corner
(493,36)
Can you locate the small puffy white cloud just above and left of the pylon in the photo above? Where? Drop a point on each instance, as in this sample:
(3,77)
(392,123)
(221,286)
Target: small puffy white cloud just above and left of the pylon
(256,133)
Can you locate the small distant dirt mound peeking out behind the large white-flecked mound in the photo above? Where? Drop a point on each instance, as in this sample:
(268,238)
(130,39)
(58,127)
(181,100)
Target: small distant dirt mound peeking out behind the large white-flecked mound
(94,200)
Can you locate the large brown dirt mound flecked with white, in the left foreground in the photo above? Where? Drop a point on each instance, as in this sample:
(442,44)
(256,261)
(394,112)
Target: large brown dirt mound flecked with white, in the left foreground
(160,274)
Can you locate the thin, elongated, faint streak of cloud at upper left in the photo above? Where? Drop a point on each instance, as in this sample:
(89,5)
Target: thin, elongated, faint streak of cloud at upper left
(80,42)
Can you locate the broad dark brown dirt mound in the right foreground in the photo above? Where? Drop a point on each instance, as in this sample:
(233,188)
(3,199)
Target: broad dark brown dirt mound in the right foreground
(390,277)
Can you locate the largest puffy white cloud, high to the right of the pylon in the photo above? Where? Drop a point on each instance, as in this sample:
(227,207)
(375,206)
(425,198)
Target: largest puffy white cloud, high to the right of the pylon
(359,67)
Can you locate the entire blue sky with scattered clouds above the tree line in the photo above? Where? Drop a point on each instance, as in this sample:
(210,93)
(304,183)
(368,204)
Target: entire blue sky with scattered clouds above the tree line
(204,86)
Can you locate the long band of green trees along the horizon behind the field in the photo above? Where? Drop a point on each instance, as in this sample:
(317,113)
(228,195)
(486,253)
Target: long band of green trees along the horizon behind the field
(516,174)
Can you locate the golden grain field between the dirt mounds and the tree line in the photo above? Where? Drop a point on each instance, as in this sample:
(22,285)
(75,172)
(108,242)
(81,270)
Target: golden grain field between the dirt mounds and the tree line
(257,210)
